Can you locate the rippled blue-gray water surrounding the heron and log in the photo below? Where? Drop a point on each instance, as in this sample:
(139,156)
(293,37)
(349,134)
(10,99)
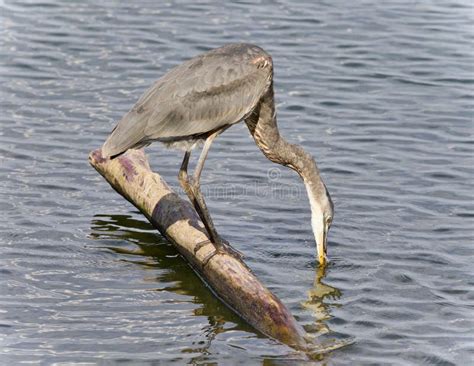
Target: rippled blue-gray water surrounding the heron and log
(380,92)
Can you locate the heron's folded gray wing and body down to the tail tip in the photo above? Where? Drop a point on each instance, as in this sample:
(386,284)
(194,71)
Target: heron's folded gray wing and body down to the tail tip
(203,94)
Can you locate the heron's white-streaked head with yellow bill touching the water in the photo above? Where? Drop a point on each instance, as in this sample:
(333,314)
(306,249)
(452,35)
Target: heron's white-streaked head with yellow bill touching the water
(322,213)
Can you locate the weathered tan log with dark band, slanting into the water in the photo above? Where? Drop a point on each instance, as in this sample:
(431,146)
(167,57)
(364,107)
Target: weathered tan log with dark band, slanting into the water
(230,279)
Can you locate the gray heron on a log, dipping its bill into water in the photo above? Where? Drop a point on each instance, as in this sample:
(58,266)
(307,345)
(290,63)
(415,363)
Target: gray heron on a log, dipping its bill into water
(199,99)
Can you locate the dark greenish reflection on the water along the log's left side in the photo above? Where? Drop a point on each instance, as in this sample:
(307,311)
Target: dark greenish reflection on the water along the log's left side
(112,230)
